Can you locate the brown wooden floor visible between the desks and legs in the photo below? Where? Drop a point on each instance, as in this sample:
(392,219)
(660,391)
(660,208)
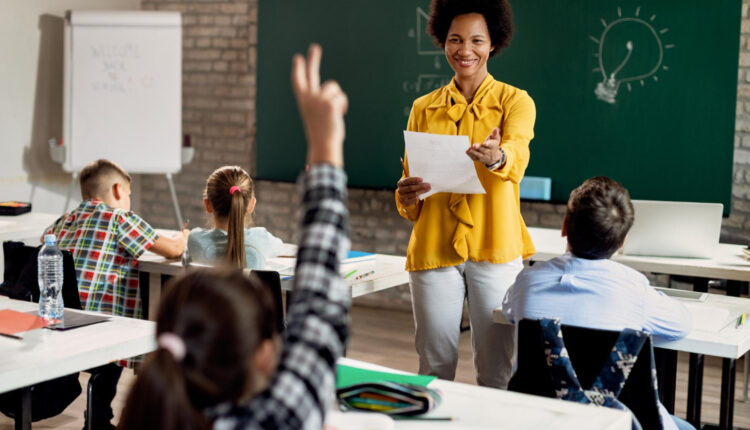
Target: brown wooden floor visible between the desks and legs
(385,337)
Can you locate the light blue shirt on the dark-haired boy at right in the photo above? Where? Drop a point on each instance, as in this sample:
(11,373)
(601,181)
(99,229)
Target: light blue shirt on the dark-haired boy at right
(600,294)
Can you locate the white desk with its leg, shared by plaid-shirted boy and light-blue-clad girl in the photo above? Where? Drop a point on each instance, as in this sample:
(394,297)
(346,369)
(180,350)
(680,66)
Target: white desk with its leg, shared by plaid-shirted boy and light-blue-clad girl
(389,272)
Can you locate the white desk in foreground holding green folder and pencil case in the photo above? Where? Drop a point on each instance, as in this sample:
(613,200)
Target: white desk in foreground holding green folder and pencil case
(474,407)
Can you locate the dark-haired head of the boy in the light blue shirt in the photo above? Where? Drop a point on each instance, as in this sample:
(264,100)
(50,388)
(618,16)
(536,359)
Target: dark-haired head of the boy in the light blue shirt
(599,216)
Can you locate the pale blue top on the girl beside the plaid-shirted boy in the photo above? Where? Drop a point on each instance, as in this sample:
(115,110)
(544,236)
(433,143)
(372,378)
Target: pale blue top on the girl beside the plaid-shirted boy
(208,246)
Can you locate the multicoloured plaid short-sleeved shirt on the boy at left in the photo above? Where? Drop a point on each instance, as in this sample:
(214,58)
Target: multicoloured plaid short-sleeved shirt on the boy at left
(105,243)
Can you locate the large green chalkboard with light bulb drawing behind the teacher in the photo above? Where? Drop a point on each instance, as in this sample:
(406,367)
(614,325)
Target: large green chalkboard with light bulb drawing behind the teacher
(644,92)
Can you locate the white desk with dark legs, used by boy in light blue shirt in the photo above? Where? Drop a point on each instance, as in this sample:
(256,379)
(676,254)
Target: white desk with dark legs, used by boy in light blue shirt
(730,343)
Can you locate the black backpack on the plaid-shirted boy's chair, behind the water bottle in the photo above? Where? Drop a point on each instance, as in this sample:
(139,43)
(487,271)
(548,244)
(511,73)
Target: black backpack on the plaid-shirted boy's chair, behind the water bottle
(48,398)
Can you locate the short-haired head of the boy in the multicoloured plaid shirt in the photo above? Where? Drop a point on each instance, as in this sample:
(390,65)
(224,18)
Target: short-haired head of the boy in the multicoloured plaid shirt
(106,181)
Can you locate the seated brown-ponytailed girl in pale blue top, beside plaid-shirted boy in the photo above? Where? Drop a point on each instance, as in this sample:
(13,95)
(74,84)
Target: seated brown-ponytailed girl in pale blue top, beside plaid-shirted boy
(230,199)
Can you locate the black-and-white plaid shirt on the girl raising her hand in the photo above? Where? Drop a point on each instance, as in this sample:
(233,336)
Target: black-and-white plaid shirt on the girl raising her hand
(317,320)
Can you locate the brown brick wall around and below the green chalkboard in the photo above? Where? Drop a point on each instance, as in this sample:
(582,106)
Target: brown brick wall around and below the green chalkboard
(220,40)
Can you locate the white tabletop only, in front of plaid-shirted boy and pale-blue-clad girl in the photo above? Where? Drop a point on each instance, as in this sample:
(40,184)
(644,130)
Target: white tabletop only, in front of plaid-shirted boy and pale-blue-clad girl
(389,272)
